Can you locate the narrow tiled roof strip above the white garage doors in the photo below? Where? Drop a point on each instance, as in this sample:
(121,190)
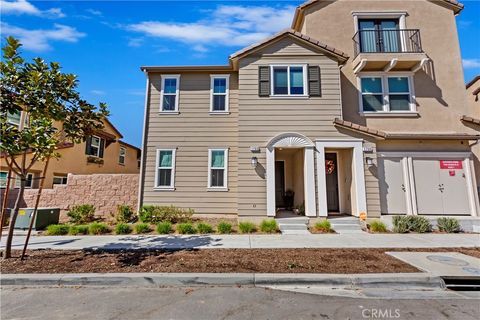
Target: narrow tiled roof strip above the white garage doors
(381,135)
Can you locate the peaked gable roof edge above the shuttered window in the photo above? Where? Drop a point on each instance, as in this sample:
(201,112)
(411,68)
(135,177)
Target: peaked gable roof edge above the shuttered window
(340,55)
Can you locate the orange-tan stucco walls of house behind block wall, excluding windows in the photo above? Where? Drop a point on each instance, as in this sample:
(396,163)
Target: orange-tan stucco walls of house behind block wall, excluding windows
(74,160)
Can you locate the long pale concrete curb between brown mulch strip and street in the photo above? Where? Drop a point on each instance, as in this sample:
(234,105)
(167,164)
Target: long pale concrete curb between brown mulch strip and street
(352,281)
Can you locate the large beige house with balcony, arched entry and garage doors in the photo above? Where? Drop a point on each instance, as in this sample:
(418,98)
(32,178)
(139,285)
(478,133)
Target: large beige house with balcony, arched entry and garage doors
(350,111)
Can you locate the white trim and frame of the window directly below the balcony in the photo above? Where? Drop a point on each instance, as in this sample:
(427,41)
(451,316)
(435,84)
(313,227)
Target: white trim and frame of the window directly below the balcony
(385,92)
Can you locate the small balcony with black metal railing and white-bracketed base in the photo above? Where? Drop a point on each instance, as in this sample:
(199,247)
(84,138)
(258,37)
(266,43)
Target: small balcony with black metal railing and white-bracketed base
(388,50)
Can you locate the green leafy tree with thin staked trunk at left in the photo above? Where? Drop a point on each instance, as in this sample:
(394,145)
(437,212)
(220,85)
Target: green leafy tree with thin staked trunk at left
(52,113)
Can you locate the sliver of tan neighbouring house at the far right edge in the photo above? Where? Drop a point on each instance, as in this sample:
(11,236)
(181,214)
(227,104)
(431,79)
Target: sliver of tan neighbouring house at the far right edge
(472,119)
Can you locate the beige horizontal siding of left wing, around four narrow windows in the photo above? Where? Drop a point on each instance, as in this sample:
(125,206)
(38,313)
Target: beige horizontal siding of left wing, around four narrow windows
(192,132)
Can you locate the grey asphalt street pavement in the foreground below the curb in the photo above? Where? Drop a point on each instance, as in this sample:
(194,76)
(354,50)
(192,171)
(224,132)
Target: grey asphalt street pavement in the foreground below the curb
(228,303)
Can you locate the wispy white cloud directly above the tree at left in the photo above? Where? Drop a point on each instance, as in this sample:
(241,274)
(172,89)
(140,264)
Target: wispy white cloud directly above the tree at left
(39,39)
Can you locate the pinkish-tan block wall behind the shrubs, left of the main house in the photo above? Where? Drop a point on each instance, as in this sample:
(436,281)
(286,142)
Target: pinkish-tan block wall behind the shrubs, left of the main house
(104,191)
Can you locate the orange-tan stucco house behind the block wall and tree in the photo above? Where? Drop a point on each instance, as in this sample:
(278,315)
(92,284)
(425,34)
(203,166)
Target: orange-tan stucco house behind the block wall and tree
(103,152)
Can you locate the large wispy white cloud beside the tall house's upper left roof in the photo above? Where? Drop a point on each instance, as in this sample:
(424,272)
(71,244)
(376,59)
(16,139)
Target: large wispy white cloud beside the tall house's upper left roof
(226,25)
